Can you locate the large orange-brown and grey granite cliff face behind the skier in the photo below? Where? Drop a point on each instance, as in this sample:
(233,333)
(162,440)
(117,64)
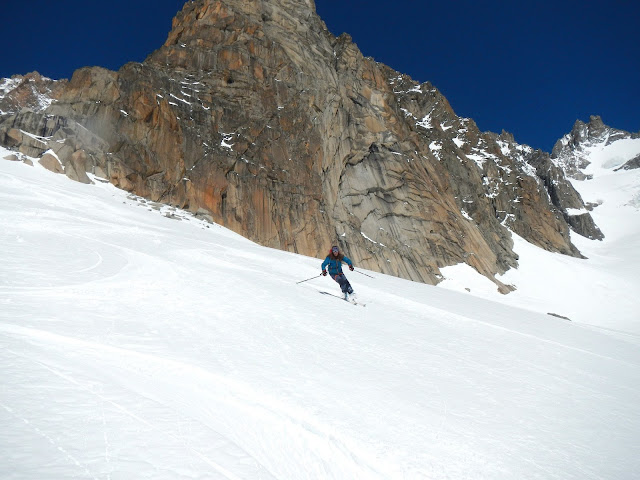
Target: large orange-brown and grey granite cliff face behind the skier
(252,114)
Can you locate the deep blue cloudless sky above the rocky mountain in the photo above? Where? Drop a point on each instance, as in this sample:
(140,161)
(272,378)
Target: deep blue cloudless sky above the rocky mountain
(531,68)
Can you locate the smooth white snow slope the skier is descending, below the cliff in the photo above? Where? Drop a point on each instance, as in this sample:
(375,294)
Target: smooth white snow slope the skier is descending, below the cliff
(138,342)
